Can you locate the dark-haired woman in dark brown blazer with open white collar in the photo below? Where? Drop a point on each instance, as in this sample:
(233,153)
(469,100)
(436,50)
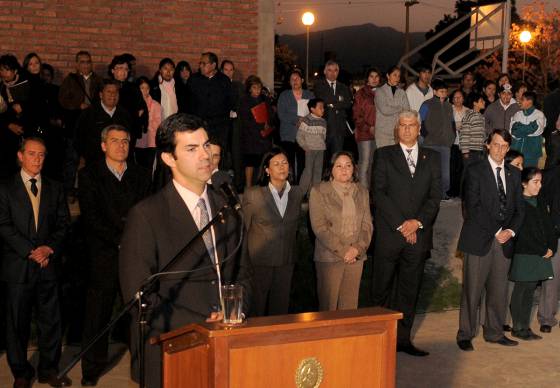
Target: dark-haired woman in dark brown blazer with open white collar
(272,212)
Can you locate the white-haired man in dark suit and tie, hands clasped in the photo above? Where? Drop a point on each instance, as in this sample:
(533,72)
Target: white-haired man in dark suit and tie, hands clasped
(406,196)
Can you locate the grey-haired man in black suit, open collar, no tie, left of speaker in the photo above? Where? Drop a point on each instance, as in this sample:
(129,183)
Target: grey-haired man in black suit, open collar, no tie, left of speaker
(107,190)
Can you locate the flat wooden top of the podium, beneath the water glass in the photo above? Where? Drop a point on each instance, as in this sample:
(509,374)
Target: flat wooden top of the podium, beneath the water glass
(284,322)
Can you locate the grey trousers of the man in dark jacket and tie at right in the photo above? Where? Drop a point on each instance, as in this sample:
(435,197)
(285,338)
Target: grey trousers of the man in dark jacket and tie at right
(488,272)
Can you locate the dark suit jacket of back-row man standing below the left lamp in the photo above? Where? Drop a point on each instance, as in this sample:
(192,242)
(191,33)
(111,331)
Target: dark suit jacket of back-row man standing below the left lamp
(341,101)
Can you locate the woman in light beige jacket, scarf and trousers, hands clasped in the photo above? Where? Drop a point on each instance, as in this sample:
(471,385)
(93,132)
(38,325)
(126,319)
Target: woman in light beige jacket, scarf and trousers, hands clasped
(341,220)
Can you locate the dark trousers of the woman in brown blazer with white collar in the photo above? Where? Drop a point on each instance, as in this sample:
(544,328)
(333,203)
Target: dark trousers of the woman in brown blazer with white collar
(272,289)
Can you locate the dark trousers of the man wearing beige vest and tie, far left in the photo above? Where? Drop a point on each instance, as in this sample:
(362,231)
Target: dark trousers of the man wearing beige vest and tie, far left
(20,300)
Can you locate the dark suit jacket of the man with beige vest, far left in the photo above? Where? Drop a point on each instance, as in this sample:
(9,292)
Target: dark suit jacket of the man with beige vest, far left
(17,228)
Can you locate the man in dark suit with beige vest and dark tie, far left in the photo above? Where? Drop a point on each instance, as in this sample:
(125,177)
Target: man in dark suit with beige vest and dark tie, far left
(34,218)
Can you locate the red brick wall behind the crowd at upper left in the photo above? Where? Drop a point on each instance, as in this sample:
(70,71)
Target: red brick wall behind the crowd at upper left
(149,29)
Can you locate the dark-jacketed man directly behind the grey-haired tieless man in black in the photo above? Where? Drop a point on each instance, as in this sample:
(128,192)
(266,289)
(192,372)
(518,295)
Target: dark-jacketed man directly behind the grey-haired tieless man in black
(98,116)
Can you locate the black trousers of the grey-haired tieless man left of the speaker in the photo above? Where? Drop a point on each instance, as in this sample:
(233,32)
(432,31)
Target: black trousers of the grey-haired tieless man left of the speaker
(99,308)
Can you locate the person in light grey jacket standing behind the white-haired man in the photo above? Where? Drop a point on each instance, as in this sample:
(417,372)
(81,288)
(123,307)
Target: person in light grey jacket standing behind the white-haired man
(390,100)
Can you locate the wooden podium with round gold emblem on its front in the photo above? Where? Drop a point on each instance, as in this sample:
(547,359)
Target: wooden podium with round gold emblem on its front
(349,348)
